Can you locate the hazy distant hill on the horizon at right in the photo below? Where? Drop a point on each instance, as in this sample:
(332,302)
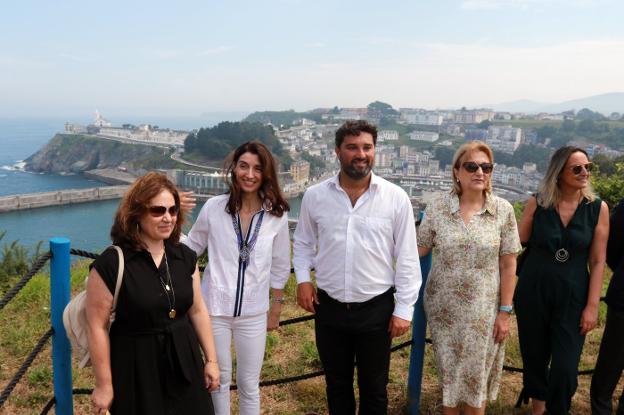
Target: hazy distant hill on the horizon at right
(604,103)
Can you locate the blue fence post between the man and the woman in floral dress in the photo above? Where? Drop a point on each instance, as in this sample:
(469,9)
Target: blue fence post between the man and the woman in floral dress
(419,329)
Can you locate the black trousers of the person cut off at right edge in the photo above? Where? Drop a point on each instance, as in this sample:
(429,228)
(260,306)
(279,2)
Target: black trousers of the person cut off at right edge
(609,366)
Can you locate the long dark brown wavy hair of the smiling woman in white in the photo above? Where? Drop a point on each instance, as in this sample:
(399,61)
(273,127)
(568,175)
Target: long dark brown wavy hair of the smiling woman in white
(272,198)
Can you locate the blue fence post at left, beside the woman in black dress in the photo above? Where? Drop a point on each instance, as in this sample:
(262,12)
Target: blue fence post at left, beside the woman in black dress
(61,348)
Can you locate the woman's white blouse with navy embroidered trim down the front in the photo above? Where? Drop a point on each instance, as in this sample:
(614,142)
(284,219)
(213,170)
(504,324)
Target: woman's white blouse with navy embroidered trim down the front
(228,289)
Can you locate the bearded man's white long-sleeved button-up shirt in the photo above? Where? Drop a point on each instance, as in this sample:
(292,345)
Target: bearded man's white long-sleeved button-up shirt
(359,251)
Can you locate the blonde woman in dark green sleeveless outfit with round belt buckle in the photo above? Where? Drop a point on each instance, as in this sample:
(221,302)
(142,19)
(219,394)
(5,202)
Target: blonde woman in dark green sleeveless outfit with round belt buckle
(557,297)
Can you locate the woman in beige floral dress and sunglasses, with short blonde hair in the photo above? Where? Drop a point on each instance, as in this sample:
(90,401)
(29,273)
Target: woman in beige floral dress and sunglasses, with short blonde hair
(468,296)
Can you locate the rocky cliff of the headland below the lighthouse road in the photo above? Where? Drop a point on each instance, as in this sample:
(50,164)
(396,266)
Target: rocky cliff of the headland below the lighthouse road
(68,153)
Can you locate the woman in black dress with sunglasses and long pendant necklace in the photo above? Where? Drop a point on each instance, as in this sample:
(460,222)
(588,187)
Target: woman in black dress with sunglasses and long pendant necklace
(150,361)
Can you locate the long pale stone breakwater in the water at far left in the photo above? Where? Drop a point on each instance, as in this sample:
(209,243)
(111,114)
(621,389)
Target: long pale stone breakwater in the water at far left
(61,197)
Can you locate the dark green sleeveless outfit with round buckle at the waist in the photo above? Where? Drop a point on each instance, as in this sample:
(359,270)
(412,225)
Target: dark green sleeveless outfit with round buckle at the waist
(549,300)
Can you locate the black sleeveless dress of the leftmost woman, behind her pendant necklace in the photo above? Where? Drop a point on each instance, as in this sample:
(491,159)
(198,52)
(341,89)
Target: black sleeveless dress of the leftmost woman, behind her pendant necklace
(156,363)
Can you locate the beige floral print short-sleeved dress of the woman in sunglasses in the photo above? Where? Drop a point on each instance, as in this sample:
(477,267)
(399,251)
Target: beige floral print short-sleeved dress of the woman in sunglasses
(462,294)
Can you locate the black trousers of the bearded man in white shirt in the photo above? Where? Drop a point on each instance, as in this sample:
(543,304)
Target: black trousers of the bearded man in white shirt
(359,331)
